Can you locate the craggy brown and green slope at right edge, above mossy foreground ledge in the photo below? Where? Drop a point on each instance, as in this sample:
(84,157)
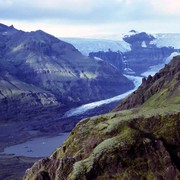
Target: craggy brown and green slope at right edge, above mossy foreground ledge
(157,91)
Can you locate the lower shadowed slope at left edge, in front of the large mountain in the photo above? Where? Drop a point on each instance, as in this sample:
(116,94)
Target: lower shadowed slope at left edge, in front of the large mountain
(21,101)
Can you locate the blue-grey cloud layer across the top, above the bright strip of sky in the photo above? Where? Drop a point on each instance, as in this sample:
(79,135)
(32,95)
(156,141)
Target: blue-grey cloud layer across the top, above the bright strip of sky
(77,11)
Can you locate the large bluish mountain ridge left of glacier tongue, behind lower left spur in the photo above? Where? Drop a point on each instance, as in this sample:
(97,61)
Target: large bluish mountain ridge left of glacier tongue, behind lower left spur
(48,63)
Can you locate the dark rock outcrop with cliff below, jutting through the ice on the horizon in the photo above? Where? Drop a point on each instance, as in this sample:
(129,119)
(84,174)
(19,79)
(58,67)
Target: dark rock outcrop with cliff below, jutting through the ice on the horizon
(143,54)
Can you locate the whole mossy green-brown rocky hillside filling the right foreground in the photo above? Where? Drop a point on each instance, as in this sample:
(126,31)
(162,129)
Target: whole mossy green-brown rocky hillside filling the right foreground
(139,143)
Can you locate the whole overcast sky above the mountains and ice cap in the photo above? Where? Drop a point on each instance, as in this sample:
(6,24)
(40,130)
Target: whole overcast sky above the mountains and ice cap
(81,18)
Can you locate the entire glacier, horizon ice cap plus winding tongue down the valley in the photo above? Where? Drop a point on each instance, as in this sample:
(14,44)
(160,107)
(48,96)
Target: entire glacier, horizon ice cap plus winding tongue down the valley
(85,46)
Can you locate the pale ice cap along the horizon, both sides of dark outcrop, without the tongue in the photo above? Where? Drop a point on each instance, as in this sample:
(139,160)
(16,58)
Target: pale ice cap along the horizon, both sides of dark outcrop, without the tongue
(87,45)
